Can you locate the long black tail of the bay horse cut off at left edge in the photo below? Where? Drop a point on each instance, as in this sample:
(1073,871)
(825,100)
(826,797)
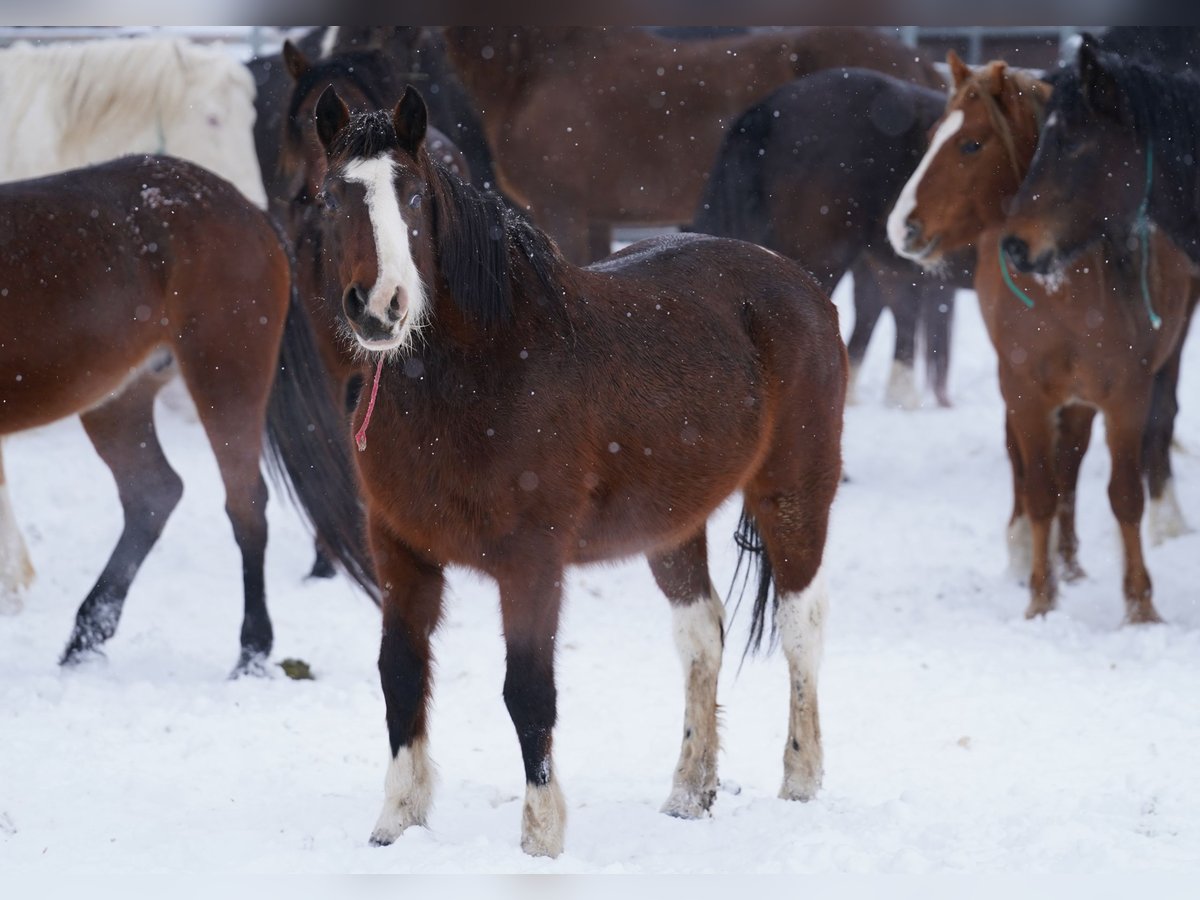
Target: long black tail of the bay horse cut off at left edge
(309,451)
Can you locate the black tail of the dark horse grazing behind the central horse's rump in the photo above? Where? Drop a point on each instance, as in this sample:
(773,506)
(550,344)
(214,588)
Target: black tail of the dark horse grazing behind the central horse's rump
(735,202)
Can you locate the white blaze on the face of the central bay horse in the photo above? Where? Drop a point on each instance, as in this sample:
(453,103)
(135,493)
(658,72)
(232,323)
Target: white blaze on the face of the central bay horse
(394,255)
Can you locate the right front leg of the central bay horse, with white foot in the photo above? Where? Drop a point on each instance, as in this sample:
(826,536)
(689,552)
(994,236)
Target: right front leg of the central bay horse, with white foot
(531,598)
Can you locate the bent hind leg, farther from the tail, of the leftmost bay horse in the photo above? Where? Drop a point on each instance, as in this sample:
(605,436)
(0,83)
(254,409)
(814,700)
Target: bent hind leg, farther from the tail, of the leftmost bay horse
(124,435)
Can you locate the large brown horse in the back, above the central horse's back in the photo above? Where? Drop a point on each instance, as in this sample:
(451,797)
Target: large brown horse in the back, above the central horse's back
(598,127)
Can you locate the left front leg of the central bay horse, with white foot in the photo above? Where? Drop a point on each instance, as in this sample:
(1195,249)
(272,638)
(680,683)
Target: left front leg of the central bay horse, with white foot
(412,608)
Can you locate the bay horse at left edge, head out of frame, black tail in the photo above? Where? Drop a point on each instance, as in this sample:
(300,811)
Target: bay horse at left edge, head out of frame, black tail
(115,278)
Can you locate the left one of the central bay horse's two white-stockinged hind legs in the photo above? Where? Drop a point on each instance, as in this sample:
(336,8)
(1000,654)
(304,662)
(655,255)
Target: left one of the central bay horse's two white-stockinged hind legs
(700,635)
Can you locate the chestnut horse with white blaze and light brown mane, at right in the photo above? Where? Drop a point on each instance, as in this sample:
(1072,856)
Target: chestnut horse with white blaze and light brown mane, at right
(1064,352)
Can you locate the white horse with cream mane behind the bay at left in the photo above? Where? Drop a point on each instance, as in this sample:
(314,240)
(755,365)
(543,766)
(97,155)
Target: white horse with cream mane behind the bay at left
(71,105)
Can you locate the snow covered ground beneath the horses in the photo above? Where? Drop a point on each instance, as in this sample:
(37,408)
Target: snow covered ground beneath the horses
(959,737)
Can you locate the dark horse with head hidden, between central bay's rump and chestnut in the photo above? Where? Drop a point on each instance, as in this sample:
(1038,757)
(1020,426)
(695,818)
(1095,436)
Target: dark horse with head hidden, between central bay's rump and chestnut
(812,172)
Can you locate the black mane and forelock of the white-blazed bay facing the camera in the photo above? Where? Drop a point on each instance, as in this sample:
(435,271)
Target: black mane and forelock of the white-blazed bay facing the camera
(482,242)
